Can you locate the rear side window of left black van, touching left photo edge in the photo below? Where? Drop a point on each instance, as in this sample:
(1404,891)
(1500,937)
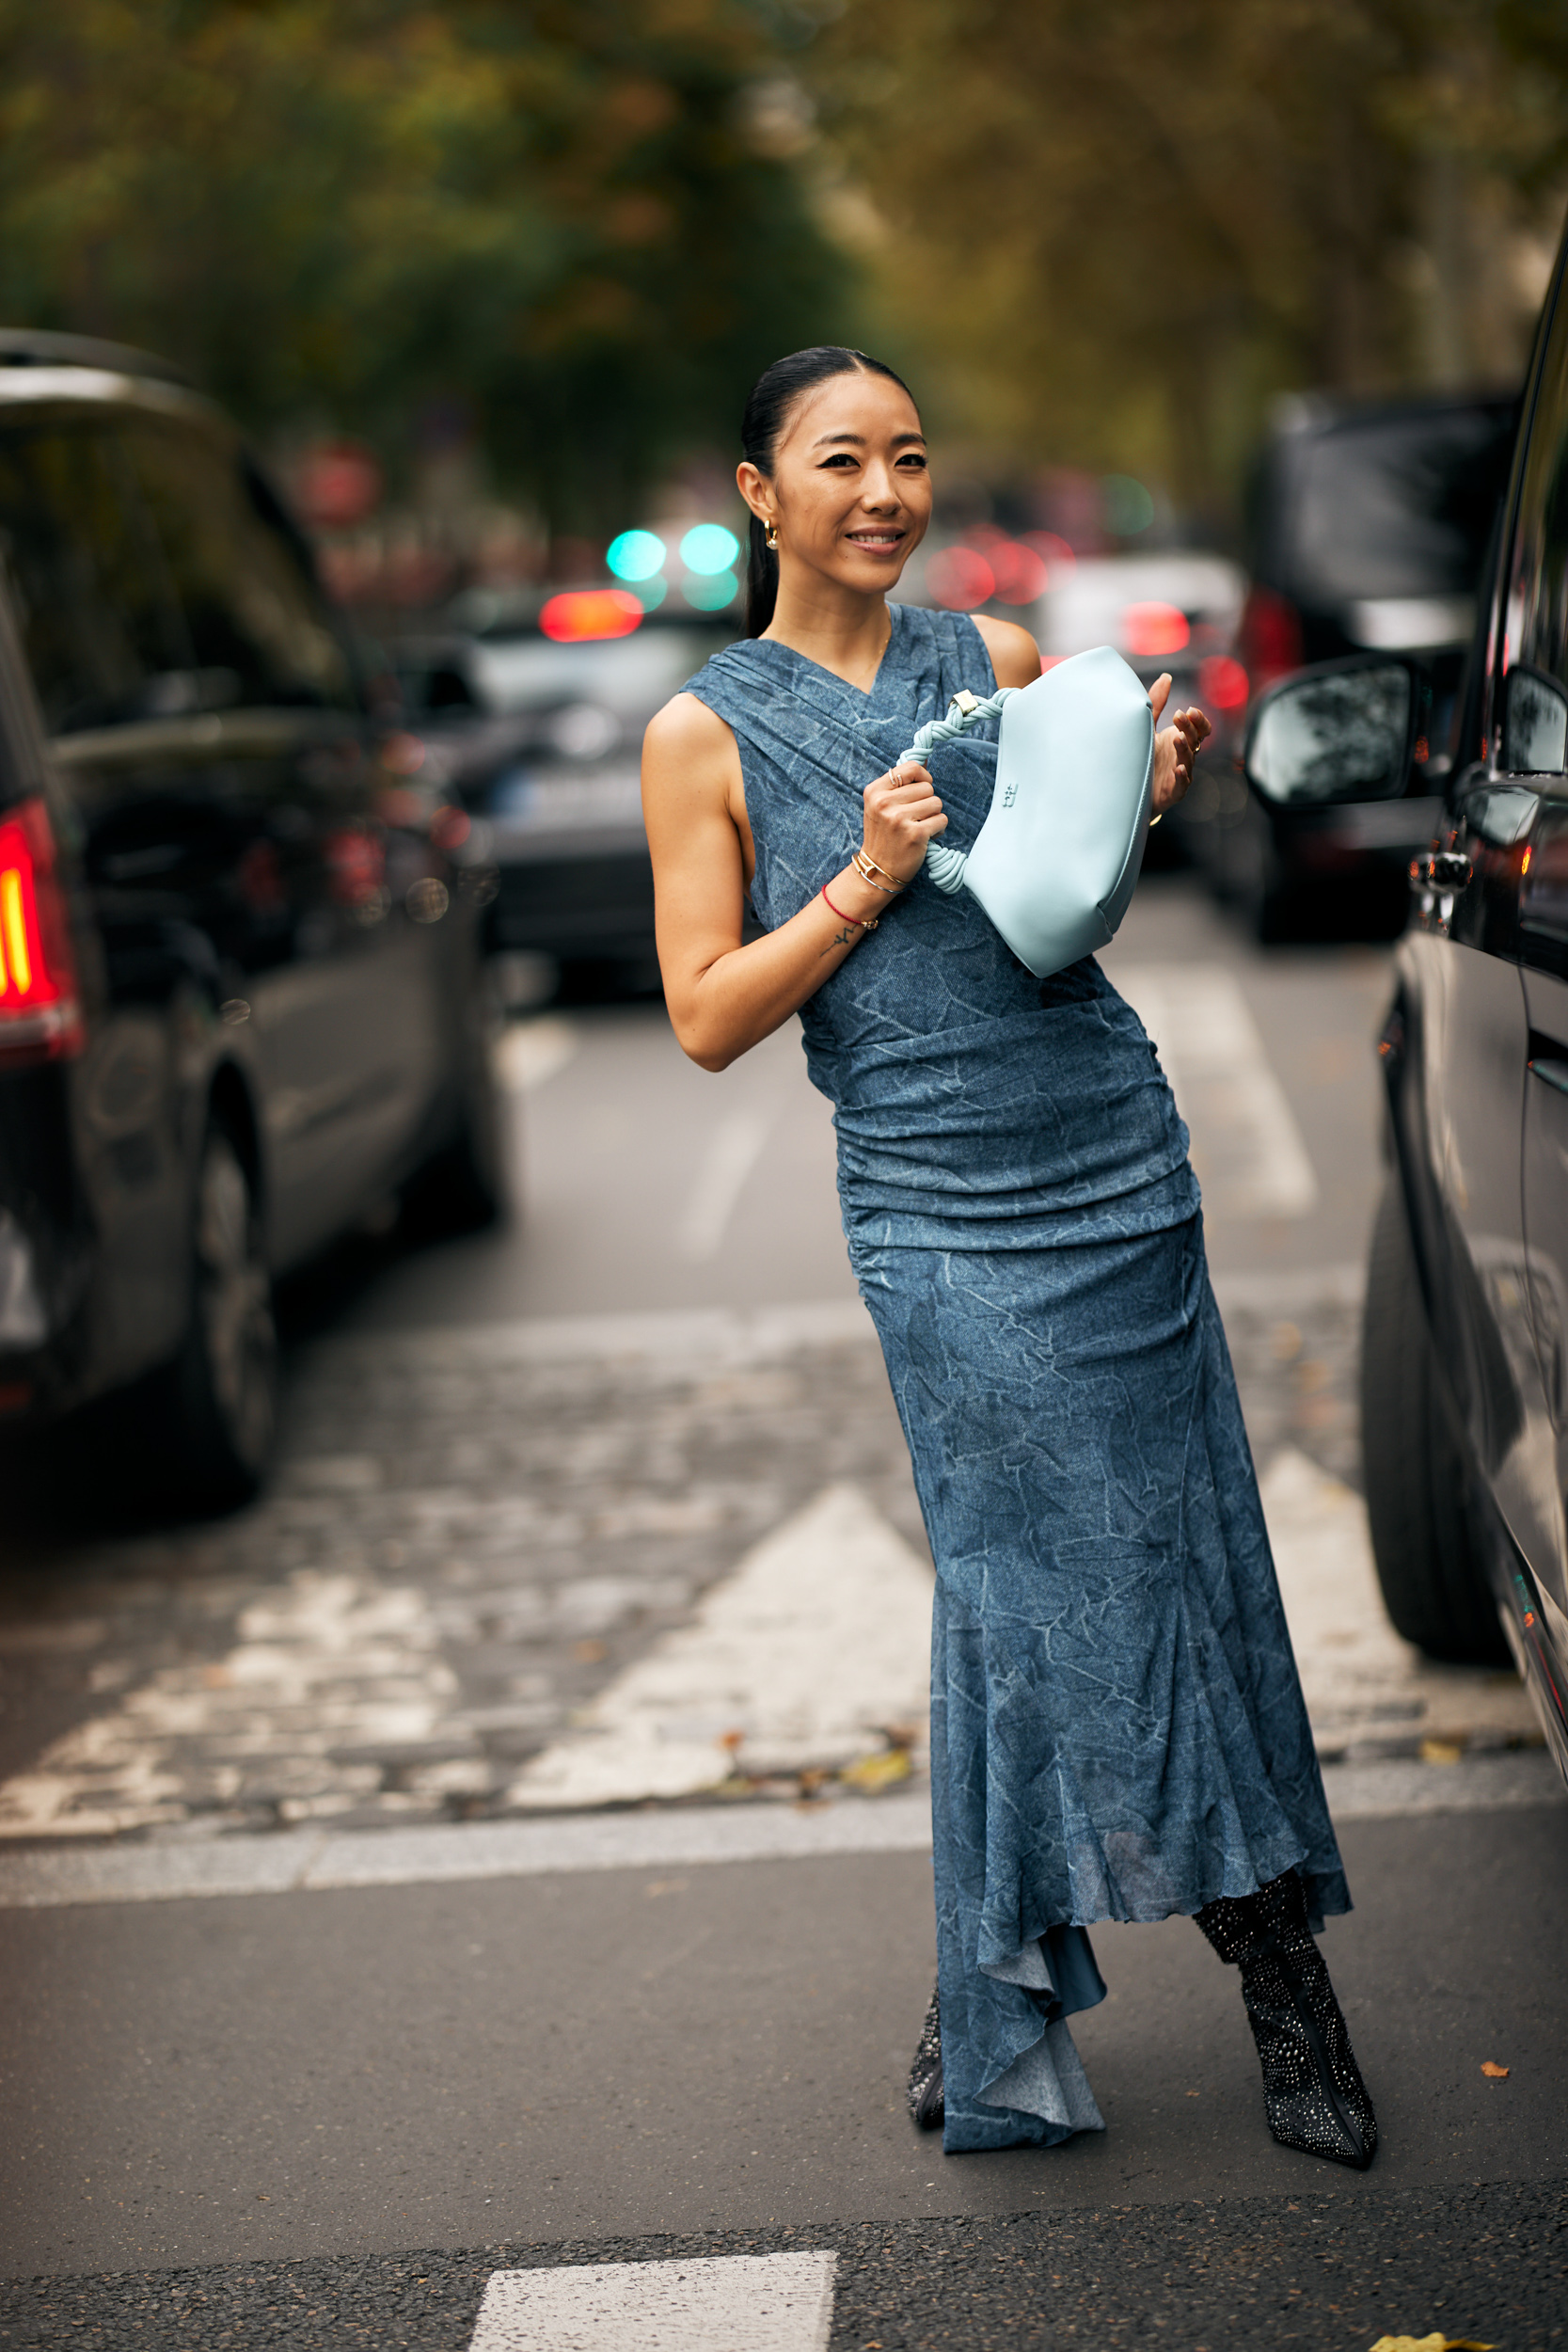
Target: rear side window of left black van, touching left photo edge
(93,596)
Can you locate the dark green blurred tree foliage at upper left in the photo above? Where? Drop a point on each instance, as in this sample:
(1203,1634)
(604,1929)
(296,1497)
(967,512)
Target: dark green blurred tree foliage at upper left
(340,211)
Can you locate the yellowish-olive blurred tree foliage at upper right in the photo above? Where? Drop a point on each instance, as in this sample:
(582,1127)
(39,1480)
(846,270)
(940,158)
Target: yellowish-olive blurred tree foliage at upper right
(1113,229)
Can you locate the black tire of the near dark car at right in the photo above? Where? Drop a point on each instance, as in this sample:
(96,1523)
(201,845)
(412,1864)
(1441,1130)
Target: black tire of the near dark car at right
(1423,1532)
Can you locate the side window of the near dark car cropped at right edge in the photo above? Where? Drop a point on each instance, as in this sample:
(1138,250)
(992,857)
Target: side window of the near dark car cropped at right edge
(1536,603)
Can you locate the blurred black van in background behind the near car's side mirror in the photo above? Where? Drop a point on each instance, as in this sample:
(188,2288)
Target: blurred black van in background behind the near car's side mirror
(1369,528)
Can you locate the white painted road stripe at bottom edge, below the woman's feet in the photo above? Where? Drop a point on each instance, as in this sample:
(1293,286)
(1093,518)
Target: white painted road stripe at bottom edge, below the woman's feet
(725,2304)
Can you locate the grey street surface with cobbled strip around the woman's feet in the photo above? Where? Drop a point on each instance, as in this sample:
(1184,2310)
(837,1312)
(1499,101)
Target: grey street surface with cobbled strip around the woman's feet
(319,2038)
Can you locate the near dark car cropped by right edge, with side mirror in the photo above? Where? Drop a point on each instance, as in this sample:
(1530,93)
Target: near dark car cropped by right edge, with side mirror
(1466,1347)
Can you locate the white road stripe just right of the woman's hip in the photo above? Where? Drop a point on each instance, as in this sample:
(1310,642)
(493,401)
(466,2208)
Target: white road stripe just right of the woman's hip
(1245,1140)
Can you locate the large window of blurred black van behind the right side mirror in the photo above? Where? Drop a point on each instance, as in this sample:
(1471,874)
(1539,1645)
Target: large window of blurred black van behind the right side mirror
(1400,507)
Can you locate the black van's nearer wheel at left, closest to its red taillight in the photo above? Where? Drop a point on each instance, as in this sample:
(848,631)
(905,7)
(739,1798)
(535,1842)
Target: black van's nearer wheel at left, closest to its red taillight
(210,1417)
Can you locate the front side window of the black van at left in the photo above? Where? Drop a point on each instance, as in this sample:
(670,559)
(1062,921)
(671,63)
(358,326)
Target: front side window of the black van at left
(257,622)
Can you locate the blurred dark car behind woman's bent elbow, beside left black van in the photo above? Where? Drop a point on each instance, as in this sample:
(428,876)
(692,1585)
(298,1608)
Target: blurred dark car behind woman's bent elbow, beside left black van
(535,723)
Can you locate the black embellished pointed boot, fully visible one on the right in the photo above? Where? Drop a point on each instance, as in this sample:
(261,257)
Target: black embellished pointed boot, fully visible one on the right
(1313,2087)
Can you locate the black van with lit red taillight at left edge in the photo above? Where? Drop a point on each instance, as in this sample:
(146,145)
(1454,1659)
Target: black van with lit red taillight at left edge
(241,996)
